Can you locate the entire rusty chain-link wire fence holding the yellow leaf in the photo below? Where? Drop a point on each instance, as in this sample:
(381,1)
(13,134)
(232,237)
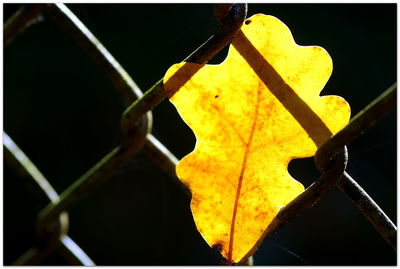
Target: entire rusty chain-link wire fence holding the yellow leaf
(136,121)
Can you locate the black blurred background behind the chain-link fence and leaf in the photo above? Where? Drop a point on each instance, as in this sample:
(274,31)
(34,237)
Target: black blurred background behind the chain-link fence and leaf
(64,113)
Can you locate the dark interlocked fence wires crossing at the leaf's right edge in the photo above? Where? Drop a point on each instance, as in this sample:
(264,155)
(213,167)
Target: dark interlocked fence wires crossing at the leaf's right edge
(325,160)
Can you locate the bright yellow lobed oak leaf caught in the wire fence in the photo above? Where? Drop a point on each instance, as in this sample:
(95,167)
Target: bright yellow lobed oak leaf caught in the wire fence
(251,115)
